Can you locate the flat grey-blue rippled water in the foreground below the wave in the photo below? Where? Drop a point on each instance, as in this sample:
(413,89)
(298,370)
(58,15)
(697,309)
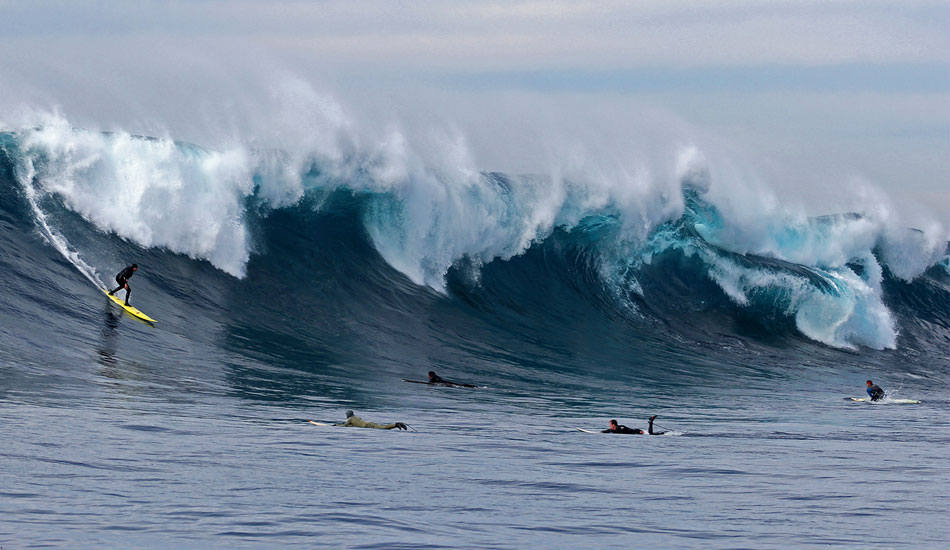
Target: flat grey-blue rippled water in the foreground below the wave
(119,466)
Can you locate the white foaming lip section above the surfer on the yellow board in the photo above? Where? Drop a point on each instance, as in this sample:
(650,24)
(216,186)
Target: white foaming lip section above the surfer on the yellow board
(154,192)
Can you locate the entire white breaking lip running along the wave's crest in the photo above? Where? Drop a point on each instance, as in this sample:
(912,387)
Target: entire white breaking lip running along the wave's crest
(432,207)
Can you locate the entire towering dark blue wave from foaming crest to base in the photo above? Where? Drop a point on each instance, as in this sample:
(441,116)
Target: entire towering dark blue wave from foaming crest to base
(372,257)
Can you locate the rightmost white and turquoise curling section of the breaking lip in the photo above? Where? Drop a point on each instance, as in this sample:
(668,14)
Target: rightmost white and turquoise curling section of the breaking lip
(854,314)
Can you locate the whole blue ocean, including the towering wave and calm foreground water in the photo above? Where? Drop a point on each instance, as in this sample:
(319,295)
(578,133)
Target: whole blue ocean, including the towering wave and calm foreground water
(294,287)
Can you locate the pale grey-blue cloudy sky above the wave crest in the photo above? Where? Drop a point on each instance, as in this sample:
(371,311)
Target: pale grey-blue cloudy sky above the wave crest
(812,97)
